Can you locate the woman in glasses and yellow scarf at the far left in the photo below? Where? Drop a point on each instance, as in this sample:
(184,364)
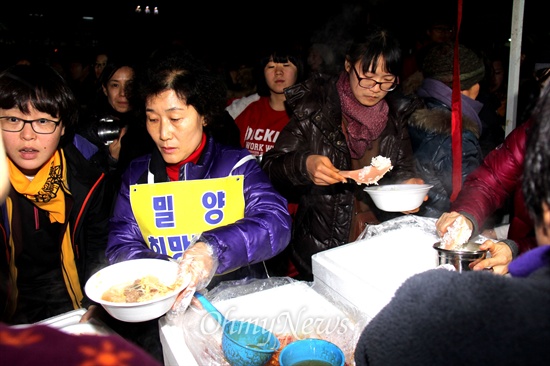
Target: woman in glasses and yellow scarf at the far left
(53,224)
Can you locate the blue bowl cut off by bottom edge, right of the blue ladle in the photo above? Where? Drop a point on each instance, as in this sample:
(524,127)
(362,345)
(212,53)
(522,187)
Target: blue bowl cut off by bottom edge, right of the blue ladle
(312,349)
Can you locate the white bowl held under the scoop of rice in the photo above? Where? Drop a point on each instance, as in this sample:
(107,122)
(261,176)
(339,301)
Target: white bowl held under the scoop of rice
(398,197)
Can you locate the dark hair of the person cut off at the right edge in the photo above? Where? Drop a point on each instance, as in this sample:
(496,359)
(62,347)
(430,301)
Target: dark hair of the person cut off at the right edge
(536,175)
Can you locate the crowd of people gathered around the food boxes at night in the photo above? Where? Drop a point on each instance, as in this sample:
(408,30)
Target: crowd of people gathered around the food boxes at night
(89,145)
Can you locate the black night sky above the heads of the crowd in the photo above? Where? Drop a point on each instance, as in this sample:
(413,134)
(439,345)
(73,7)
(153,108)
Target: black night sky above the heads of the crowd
(228,29)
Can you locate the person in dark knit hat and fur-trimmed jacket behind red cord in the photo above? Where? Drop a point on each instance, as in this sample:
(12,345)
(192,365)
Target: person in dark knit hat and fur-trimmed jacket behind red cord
(430,125)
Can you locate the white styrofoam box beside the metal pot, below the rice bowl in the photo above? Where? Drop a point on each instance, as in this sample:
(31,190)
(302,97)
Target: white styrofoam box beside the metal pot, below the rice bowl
(367,273)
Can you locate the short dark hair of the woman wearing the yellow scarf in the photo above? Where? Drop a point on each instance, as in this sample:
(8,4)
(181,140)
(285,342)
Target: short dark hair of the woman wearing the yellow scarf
(43,88)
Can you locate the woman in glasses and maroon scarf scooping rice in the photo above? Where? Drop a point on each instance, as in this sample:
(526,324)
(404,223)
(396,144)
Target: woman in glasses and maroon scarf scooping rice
(340,122)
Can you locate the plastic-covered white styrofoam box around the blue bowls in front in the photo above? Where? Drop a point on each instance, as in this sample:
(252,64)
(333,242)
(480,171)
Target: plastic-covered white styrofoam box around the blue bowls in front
(295,309)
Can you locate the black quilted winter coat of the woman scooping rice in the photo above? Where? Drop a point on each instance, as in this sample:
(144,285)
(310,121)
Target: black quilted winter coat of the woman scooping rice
(324,216)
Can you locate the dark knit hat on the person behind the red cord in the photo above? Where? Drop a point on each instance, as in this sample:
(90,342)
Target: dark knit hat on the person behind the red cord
(438,65)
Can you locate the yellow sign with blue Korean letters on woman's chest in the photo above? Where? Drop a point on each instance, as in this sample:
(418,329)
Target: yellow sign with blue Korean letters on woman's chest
(171,214)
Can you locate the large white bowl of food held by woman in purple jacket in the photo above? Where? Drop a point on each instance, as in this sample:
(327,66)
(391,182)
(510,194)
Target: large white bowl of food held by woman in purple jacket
(128,272)
